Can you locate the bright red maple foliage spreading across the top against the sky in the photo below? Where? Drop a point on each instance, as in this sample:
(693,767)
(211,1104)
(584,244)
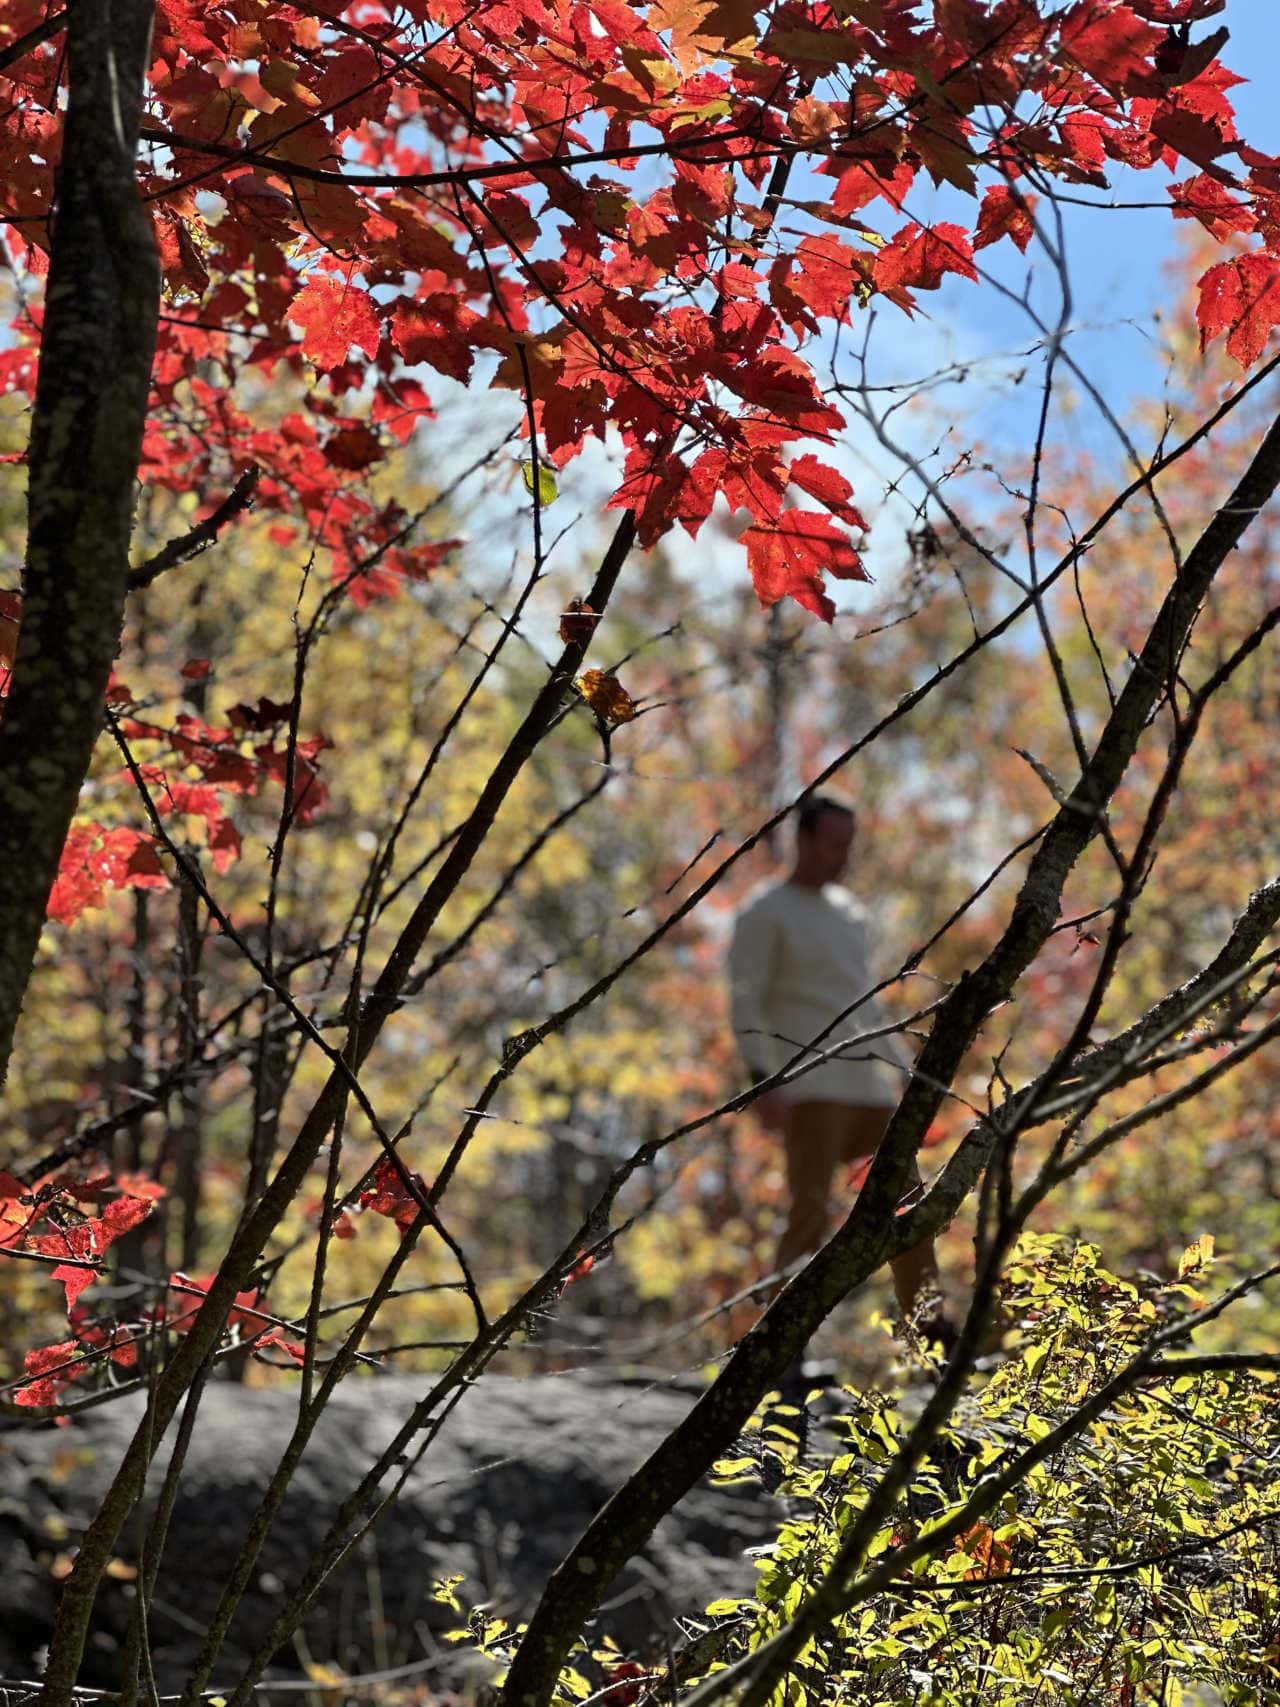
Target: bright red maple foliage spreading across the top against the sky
(474,194)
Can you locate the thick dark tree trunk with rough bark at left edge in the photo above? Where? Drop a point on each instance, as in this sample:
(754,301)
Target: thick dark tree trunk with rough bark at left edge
(86,436)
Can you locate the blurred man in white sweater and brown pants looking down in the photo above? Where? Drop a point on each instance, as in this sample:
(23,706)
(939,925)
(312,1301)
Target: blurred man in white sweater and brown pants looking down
(800,957)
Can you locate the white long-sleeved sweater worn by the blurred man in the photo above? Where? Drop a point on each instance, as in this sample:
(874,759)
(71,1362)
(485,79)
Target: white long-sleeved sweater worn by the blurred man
(800,958)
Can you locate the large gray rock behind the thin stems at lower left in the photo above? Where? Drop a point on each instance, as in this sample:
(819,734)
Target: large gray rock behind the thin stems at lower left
(513,1481)
